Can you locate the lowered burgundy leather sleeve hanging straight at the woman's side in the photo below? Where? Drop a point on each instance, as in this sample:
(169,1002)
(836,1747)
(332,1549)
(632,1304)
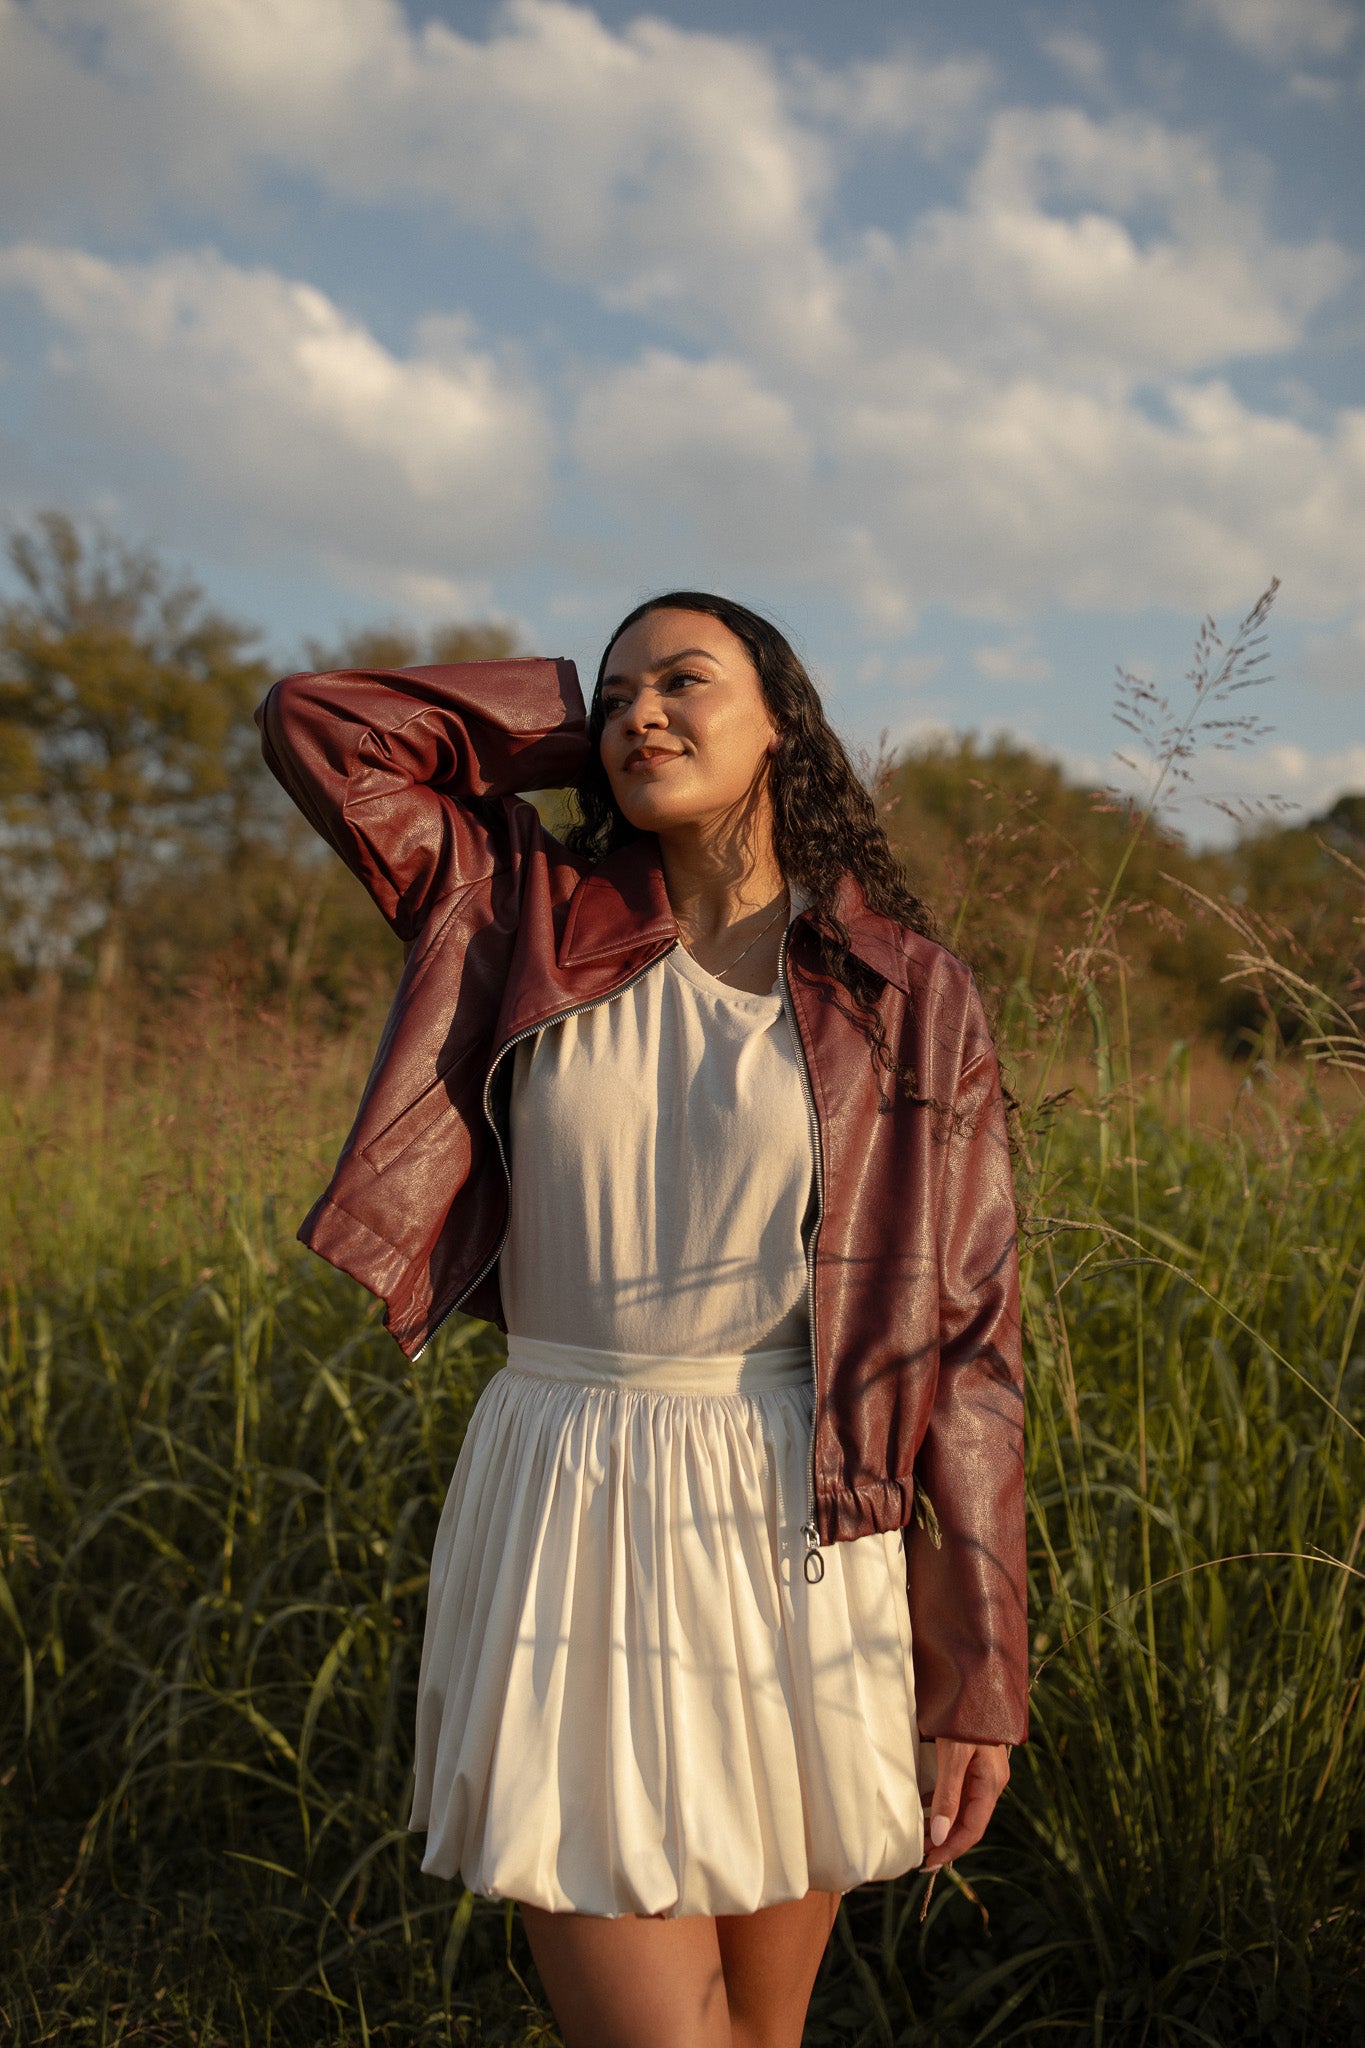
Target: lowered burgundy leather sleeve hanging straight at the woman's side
(967,1547)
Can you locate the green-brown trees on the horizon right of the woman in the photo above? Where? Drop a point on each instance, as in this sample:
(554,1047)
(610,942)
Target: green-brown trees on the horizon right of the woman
(1018,865)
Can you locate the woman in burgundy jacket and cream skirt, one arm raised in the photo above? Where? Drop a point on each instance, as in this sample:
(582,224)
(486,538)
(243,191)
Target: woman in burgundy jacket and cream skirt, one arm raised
(699,1111)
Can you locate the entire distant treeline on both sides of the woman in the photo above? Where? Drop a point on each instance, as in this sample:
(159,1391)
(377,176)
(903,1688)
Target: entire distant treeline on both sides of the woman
(144,847)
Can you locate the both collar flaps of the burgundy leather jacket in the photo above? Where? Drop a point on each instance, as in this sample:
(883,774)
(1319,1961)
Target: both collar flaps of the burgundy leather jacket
(623,906)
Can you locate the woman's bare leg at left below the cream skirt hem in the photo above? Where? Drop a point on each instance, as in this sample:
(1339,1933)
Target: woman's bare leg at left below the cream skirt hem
(633,1983)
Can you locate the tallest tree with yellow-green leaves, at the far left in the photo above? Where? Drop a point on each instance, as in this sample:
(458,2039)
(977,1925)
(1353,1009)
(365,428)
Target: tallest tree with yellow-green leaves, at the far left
(126,740)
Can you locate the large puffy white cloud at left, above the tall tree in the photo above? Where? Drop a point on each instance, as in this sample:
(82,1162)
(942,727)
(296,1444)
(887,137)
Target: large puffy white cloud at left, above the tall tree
(285,415)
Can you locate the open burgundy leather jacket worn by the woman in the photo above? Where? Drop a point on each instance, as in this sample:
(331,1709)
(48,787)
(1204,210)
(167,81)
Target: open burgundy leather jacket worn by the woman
(412,777)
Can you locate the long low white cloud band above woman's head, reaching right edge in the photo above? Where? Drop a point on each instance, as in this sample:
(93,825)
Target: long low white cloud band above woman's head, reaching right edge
(979,493)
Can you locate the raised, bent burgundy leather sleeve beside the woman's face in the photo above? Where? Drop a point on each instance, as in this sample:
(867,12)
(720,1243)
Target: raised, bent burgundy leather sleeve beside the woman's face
(402,769)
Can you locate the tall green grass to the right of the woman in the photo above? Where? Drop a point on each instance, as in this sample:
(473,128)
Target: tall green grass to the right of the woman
(1184,1848)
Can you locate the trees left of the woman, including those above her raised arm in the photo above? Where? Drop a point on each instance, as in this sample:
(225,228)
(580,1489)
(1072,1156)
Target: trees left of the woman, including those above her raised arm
(140,835)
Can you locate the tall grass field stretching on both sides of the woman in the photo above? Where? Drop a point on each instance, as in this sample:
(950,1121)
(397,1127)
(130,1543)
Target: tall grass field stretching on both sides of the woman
(222,1484)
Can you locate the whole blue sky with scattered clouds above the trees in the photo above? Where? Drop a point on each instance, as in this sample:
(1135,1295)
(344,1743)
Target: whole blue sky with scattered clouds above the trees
(987,347)
